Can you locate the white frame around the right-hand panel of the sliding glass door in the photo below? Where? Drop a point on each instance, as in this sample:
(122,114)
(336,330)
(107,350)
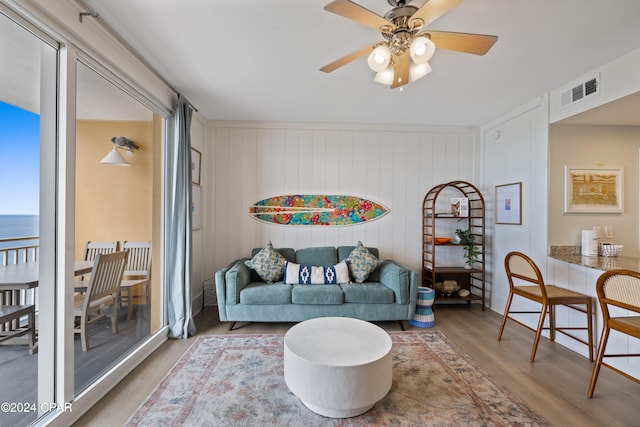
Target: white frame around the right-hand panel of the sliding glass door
(57,207)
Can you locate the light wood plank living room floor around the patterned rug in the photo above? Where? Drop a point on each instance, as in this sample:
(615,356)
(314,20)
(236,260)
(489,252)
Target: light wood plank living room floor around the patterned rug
(555,385)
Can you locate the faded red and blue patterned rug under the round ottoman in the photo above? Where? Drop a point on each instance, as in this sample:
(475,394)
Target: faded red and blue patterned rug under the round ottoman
(238,380)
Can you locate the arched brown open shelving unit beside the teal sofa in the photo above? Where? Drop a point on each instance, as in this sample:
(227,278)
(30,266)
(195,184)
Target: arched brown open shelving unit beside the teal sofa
(436,215)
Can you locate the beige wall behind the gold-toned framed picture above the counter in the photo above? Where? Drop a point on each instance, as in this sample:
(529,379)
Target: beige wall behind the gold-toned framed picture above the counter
(582,145)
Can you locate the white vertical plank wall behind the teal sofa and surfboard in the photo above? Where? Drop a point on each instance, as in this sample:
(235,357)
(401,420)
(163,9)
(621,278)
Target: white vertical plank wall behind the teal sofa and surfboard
(392,165)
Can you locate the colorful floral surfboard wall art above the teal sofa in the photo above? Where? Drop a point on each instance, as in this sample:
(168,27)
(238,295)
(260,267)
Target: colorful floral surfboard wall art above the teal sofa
(317,209)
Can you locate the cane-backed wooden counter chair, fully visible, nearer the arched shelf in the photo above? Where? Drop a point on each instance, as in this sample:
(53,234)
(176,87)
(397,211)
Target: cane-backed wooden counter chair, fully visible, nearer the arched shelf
(526,281)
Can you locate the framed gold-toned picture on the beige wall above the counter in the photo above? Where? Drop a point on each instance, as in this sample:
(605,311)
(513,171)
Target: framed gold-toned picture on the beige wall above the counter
(593,189)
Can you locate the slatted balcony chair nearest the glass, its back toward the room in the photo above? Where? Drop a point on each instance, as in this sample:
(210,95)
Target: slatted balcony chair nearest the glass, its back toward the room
(102,292)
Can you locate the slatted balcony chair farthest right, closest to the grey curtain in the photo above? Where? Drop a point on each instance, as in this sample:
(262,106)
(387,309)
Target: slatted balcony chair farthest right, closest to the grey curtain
(134,287)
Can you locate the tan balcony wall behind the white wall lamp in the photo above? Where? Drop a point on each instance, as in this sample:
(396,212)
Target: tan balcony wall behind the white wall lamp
(113,202)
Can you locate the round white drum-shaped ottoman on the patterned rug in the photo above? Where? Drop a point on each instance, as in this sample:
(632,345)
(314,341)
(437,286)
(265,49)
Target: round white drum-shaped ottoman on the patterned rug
(339,367)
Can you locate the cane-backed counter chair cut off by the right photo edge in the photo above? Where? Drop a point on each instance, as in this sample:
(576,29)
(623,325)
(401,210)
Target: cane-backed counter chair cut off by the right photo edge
(618,292)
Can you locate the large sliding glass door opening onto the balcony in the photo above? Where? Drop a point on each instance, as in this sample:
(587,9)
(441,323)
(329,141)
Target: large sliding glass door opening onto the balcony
(61,114)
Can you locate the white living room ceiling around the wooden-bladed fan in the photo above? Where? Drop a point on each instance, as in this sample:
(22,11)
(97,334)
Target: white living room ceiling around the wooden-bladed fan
(260,60)
